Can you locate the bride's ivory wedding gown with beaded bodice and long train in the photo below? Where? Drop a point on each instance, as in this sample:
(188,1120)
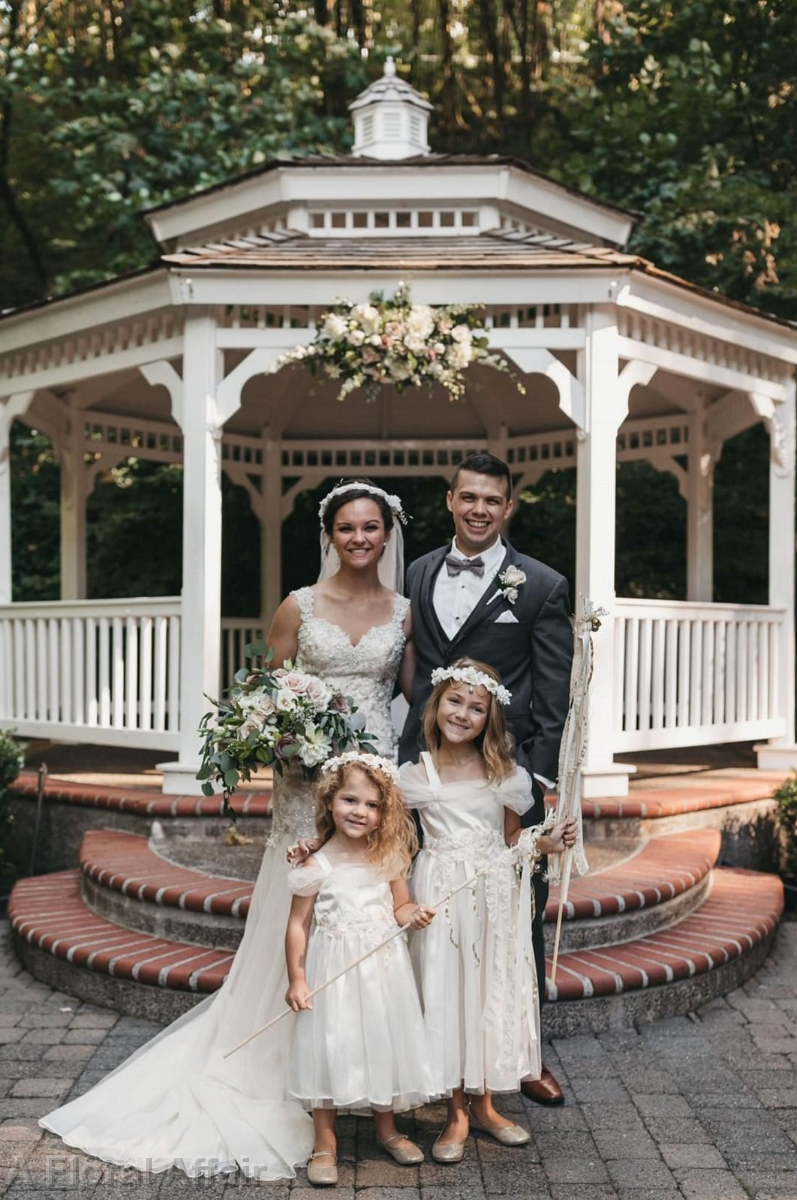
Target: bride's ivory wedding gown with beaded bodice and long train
(178,1102)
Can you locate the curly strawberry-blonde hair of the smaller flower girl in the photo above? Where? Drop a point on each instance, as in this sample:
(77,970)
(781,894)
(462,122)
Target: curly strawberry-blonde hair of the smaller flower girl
(394,843)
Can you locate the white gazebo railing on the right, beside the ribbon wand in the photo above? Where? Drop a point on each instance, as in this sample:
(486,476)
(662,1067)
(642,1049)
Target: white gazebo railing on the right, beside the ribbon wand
(690,674)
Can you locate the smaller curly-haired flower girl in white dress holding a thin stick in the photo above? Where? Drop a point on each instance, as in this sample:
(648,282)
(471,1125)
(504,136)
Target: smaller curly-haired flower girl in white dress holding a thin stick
(362,1042)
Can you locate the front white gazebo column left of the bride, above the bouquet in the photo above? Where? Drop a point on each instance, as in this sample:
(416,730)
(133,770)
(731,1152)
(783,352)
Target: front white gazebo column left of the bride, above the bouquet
(201,609)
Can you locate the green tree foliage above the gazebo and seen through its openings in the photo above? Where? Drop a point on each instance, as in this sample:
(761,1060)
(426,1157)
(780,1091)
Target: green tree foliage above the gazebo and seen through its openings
(684,112)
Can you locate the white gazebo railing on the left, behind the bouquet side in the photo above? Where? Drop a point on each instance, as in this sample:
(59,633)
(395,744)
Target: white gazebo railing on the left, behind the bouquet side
(100,671)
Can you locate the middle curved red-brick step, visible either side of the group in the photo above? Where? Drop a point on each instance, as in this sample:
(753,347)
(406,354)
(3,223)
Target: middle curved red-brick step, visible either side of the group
(127,881)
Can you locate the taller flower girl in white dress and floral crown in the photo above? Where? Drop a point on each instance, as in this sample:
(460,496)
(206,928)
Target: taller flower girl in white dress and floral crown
(476,964)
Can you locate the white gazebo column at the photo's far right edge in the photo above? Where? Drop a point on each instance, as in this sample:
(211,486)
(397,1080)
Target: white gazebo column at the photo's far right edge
(781,754)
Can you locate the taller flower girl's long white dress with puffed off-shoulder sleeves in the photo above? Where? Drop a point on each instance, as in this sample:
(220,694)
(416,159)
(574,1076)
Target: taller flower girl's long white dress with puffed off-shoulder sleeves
(475,963)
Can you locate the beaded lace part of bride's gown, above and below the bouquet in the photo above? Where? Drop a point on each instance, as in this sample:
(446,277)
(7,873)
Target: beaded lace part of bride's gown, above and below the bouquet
(367,673)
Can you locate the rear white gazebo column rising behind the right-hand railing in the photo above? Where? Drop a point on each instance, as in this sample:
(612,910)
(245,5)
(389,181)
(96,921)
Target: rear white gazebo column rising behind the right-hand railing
(700,512)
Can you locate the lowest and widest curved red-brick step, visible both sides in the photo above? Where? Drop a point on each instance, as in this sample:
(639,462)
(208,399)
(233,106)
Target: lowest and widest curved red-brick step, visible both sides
(63,943)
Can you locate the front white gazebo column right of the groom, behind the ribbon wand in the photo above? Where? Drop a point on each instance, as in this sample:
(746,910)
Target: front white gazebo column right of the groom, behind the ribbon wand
(596,521)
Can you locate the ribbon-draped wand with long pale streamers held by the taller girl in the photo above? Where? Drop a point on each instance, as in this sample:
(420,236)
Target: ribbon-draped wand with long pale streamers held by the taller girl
(573,749)
